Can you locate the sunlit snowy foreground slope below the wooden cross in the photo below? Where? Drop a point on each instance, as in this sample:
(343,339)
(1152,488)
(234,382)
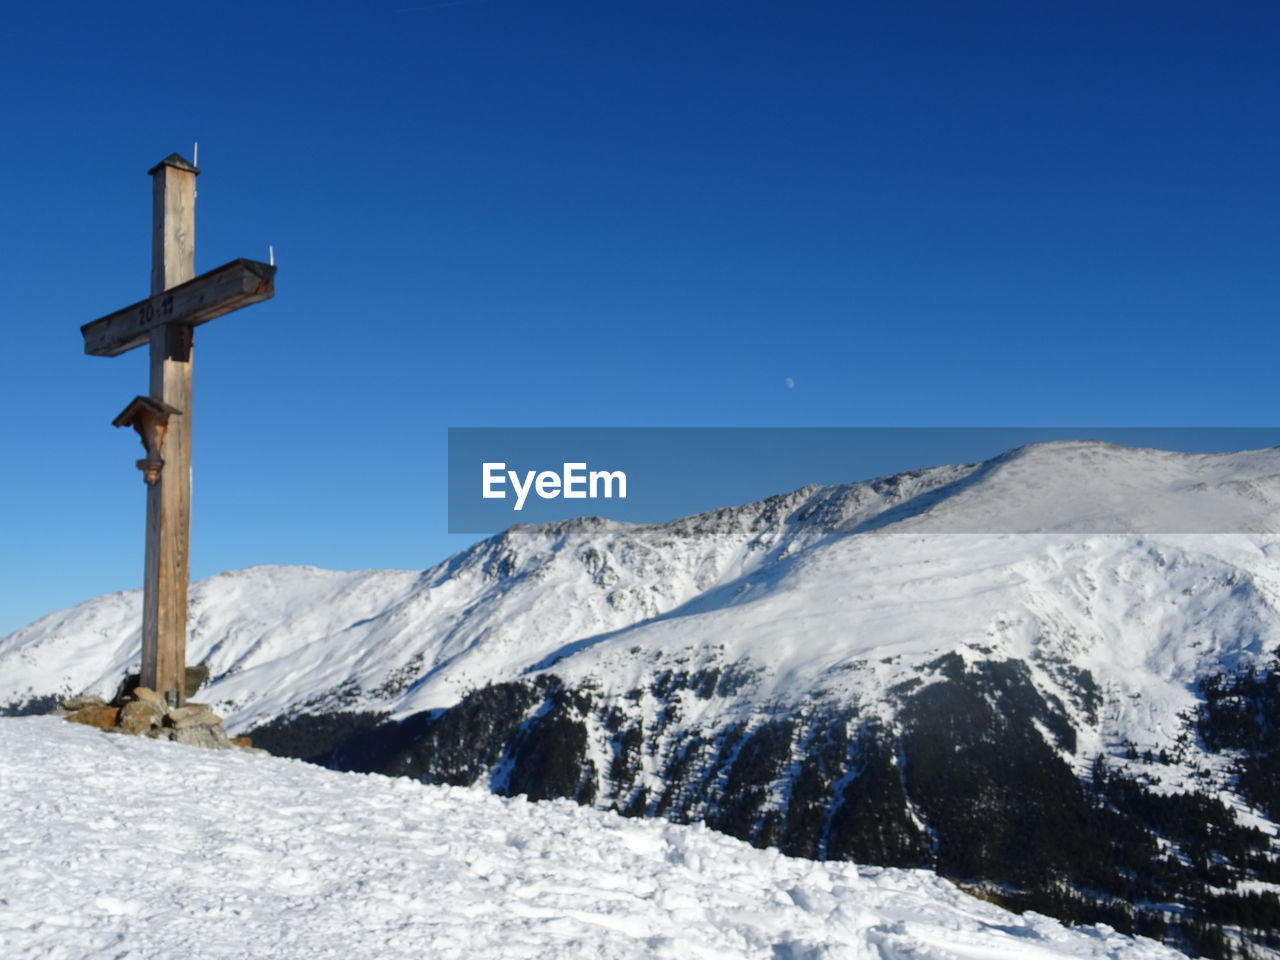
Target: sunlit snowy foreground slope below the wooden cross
(117,847)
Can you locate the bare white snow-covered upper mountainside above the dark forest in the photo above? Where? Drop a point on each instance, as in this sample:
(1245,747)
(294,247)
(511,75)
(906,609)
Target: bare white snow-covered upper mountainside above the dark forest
(845,564)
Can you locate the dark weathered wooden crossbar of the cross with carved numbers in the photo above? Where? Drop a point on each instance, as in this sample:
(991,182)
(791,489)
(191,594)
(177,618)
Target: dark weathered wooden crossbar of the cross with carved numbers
(231,287)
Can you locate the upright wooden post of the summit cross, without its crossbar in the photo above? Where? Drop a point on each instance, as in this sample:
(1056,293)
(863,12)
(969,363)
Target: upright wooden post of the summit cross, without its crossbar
(173,262)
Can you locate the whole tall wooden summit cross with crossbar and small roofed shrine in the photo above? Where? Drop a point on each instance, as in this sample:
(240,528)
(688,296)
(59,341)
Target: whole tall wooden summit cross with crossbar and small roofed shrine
(180,301)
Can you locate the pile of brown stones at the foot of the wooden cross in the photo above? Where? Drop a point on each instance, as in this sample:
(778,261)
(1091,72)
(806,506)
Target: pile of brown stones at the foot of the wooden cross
(144,712)
